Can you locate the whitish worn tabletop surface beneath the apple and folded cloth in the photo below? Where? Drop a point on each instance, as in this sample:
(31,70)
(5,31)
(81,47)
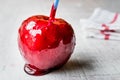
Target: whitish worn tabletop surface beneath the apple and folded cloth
(92,59)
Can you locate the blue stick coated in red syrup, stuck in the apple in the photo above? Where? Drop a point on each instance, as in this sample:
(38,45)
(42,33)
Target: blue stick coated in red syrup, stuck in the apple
(53,11)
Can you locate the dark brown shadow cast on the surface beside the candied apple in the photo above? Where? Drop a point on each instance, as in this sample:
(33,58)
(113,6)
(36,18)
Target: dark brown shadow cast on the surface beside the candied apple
(77,64)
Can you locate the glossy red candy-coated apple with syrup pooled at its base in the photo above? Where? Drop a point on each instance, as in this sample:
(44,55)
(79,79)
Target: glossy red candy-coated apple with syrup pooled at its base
(45,45)
